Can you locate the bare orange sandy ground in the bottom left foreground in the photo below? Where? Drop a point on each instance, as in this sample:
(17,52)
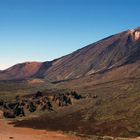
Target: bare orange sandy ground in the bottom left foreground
(7,131)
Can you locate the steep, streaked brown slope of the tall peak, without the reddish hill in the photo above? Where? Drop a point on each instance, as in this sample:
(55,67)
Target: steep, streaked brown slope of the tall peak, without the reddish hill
(114,51)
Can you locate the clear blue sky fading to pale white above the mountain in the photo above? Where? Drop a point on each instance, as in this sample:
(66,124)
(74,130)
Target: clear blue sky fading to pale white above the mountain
(42,30)
